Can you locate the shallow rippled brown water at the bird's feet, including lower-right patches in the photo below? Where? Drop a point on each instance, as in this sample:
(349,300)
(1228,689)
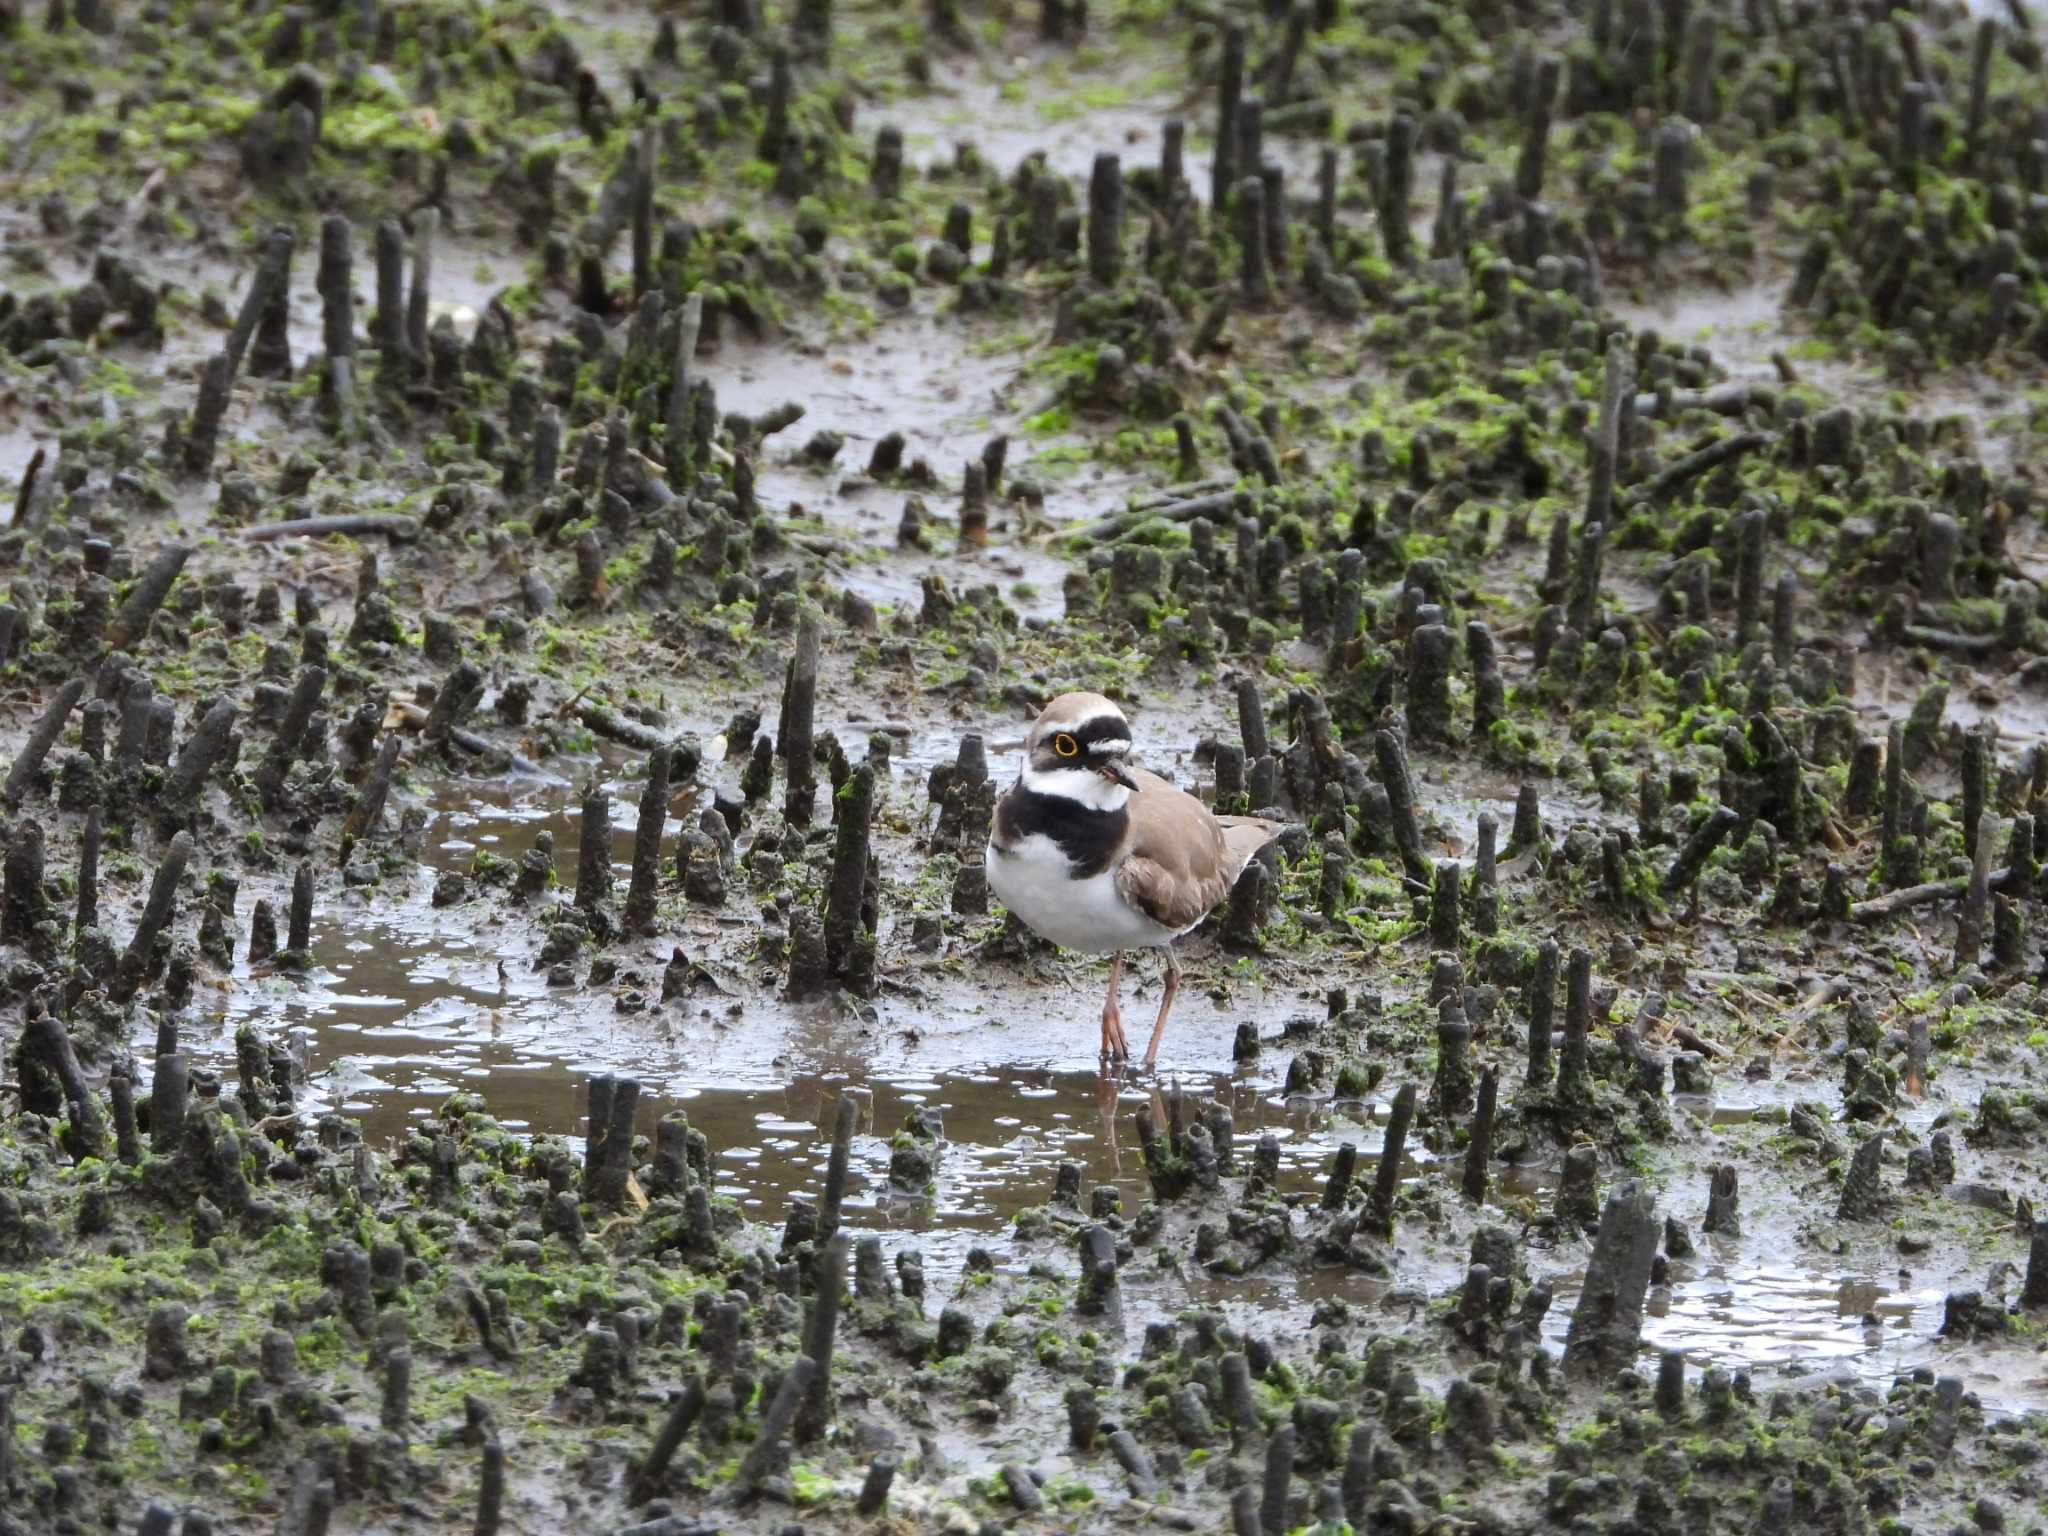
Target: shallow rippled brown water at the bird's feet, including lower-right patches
(409,1005)
